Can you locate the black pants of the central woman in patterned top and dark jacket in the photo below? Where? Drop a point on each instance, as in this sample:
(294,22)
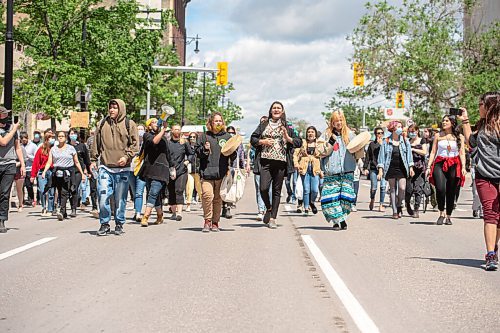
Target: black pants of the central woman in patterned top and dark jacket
(272,171)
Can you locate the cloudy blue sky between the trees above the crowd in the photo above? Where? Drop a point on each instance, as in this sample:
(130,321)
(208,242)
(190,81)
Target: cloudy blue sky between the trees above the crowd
(294,51)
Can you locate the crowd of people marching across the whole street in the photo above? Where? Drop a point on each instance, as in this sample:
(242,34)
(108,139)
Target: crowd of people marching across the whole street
(150,161)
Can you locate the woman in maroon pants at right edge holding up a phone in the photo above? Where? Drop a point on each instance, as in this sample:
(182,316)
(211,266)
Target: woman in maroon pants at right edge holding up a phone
(486,143)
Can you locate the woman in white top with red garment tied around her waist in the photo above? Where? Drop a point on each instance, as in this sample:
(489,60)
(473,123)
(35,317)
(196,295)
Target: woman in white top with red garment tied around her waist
(446,167)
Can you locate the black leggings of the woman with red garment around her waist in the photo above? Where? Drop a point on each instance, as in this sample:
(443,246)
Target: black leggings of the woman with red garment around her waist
(446,187)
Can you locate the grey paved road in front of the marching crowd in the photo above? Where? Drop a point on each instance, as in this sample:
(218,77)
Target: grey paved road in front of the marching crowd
(406,275)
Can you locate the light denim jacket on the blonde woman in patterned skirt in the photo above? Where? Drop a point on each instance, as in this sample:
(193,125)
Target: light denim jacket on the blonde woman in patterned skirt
(338,161)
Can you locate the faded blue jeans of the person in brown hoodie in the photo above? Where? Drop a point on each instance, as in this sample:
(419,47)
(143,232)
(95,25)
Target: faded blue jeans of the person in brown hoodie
(116,185)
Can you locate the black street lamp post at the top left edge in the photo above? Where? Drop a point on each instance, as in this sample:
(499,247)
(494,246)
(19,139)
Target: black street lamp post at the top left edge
(9,56)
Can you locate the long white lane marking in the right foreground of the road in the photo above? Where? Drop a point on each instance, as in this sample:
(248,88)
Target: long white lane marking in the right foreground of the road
(358,314)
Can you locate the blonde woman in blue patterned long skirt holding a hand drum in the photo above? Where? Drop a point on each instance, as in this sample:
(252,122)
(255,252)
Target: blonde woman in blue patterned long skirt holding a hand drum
(337,195)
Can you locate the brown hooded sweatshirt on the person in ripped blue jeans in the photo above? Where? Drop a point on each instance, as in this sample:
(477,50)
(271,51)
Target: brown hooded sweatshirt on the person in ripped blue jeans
(112,141)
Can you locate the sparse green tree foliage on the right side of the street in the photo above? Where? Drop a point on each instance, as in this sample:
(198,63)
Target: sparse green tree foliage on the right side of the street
(419,48)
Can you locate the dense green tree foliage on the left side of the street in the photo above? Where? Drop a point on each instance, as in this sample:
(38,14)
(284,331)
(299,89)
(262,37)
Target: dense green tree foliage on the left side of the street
(114,59)
